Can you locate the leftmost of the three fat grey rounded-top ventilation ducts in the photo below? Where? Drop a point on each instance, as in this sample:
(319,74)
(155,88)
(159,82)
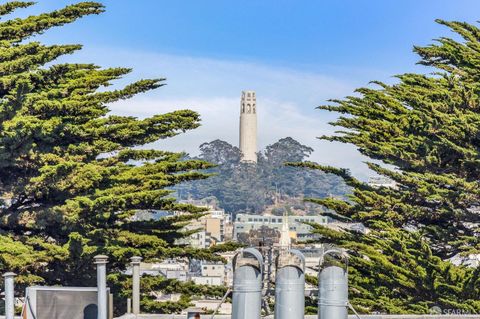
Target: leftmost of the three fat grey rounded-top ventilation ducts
(247,284)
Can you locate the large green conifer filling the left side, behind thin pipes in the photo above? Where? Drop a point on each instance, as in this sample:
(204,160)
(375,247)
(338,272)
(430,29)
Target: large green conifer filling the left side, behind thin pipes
(72,175)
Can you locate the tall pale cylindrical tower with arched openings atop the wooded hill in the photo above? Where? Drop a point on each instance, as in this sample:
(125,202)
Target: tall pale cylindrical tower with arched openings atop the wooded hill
(248,126)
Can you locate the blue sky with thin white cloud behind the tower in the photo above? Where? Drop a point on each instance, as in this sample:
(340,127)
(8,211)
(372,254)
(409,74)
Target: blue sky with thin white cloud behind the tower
(295,54)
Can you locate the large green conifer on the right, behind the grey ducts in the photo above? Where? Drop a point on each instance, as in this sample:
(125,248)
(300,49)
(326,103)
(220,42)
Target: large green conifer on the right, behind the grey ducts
(427,128)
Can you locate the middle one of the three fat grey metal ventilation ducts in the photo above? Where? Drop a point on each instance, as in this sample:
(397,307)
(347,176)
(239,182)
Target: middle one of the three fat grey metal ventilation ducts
(290,285)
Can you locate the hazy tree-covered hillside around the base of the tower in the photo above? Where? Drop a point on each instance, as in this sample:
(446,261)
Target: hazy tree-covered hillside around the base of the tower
(245,187)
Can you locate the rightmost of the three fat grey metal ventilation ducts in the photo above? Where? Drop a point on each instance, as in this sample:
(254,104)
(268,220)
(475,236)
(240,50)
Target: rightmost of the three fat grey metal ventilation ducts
(333,285)
